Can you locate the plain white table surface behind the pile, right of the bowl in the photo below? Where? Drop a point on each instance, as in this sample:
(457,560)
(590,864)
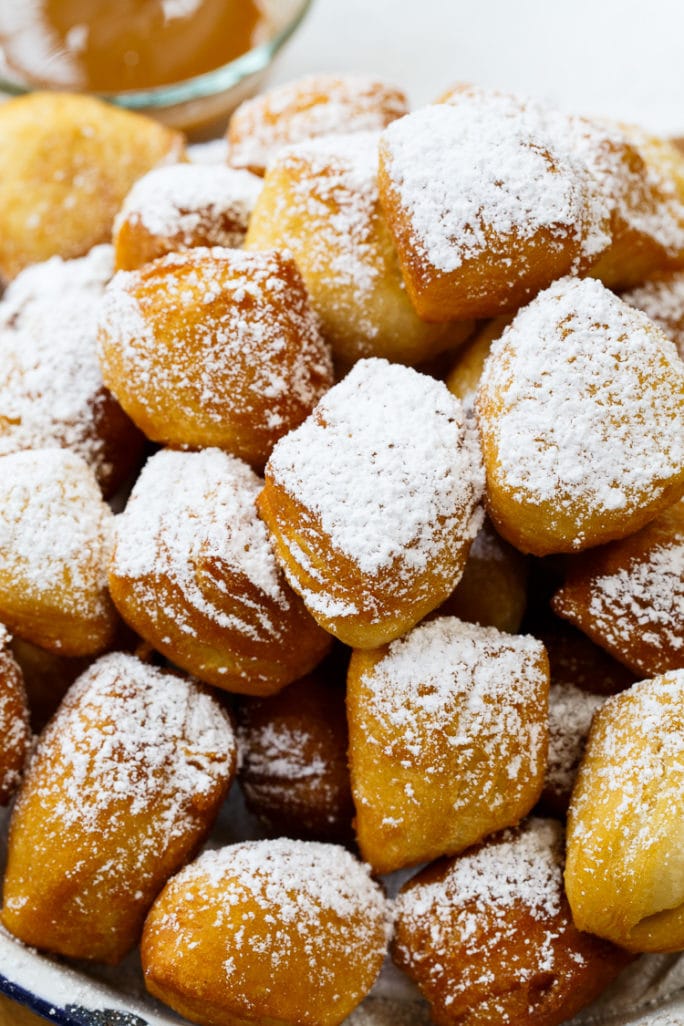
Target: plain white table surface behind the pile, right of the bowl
(623,60)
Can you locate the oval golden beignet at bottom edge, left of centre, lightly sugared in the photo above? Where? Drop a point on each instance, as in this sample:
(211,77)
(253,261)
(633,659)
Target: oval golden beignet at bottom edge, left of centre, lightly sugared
(276,933)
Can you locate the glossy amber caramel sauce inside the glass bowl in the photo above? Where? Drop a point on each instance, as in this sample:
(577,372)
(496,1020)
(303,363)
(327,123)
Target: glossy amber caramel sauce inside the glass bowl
(112,46)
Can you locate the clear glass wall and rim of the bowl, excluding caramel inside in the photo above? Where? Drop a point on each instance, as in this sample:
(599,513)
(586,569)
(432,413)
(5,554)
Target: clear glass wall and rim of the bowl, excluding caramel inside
(200,106)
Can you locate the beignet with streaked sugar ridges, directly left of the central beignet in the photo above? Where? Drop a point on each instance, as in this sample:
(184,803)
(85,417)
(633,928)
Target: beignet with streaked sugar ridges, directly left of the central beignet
(194,574)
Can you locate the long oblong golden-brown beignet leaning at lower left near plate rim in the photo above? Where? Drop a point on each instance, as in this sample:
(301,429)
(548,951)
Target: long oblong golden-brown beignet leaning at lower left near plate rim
(122,792)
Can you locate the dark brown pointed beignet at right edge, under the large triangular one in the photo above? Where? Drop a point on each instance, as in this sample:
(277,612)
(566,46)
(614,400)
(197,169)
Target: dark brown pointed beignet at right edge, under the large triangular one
(629,597)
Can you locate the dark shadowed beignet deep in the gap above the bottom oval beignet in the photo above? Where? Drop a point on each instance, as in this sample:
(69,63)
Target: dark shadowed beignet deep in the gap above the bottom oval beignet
(294,772)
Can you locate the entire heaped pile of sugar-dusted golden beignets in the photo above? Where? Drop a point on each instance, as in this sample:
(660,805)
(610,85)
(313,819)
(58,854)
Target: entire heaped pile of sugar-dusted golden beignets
(349,473)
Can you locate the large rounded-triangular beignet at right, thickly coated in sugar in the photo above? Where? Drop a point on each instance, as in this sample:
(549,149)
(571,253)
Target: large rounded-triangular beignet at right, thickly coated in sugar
(581,411)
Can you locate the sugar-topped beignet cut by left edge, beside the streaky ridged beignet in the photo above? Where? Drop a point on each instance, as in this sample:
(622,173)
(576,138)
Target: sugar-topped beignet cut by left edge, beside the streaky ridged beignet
(56,541)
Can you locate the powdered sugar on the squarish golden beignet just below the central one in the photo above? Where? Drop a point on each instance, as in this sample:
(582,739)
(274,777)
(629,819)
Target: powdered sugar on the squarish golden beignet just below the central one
(475,688)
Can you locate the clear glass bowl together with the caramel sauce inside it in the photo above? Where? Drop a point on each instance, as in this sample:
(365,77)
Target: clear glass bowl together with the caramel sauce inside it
(188,63)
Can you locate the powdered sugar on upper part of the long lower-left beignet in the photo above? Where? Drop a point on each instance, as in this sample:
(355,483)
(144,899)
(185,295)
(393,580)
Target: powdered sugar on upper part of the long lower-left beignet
(131,741)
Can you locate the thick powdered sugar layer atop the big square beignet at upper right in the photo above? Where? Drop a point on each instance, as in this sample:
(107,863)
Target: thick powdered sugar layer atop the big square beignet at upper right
(491,166)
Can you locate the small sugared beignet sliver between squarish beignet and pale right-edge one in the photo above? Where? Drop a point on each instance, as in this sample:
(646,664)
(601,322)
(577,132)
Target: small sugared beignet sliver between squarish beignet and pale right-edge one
(571,715)
